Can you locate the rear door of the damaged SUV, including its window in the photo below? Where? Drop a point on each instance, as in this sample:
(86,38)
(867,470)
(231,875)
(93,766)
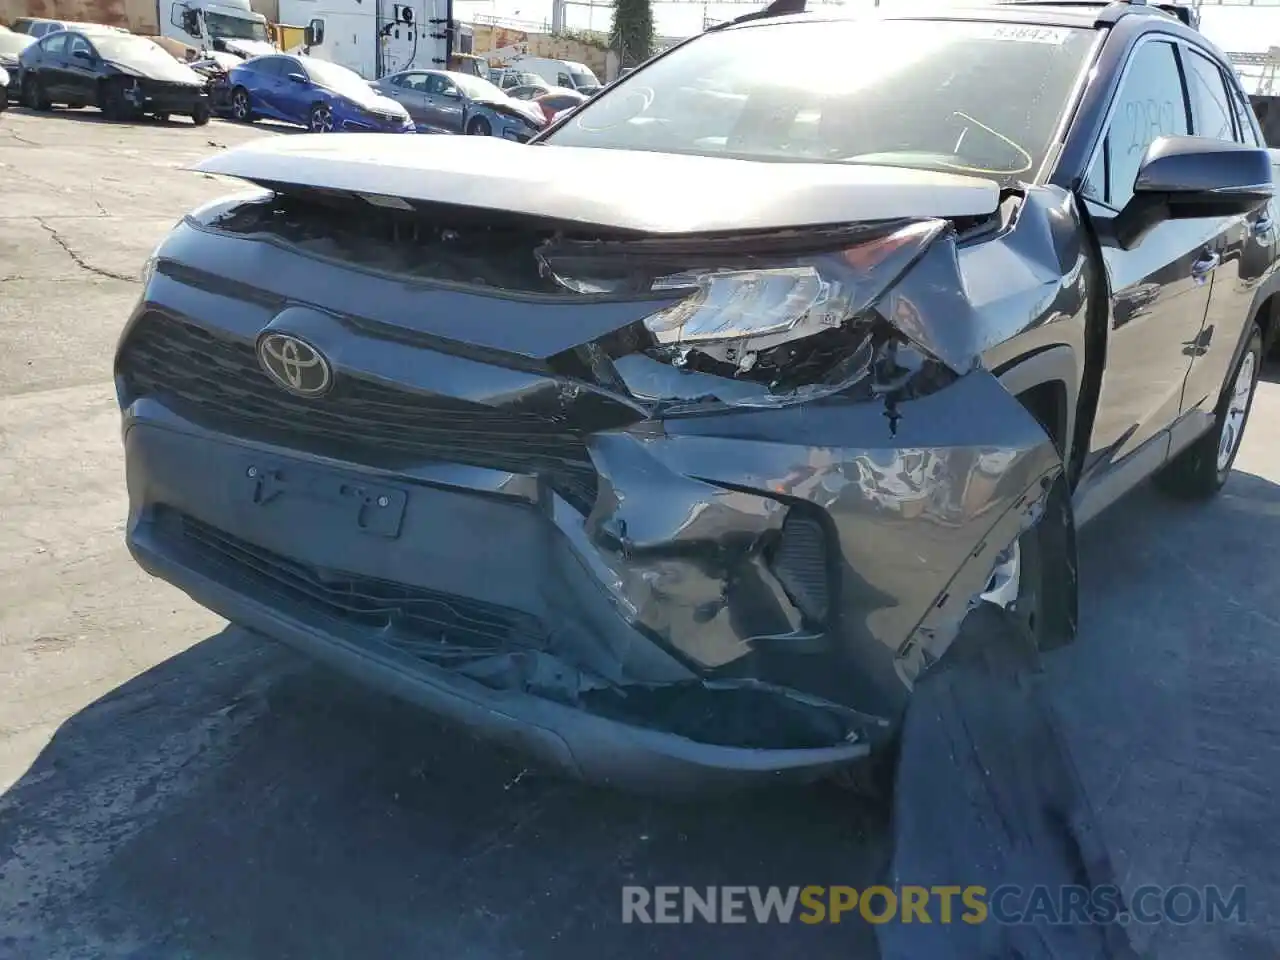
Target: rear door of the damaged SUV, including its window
(1246,245)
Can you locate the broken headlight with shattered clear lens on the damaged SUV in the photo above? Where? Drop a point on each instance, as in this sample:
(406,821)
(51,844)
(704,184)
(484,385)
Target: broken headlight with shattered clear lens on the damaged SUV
(799,330)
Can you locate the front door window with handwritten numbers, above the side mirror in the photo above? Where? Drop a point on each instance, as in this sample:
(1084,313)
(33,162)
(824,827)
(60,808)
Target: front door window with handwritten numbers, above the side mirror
(1149,106)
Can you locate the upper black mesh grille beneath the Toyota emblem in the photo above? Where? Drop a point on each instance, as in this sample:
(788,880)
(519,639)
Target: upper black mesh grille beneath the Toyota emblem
(216,381)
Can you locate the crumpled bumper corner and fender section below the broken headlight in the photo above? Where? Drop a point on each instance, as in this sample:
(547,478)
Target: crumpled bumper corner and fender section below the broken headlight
(825,548)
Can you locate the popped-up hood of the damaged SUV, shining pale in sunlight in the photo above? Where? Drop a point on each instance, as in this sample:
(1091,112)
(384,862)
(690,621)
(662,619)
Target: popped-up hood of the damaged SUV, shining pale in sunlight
(618,189)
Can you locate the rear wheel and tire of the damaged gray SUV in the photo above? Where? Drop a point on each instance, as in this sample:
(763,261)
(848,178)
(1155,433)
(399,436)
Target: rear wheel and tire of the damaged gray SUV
(1201,470)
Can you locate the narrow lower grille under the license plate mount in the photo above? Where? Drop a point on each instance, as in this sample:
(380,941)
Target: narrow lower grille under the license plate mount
(422,623)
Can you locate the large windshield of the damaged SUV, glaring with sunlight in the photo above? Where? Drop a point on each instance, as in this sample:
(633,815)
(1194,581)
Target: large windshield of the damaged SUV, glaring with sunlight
(952,95)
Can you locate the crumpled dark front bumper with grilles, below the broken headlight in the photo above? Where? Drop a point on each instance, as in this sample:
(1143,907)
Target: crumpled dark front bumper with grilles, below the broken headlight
(684,588)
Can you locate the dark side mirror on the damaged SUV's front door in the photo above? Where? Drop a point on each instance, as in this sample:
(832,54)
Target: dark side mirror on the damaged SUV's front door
(1187,179)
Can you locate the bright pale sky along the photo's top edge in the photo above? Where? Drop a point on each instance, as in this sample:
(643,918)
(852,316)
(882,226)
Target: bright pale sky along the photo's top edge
(1235,29)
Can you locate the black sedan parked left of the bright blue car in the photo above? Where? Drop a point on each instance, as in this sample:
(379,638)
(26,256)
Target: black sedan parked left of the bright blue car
(122,75)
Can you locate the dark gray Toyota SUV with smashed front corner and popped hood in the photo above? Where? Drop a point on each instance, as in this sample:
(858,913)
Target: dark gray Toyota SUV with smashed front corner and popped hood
(675,447)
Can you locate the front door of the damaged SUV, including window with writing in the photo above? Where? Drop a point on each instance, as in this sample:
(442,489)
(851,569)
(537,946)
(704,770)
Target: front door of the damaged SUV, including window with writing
(1160,290)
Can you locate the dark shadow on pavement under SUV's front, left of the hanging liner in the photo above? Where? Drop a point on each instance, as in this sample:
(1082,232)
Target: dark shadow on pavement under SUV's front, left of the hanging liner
(258,806)
